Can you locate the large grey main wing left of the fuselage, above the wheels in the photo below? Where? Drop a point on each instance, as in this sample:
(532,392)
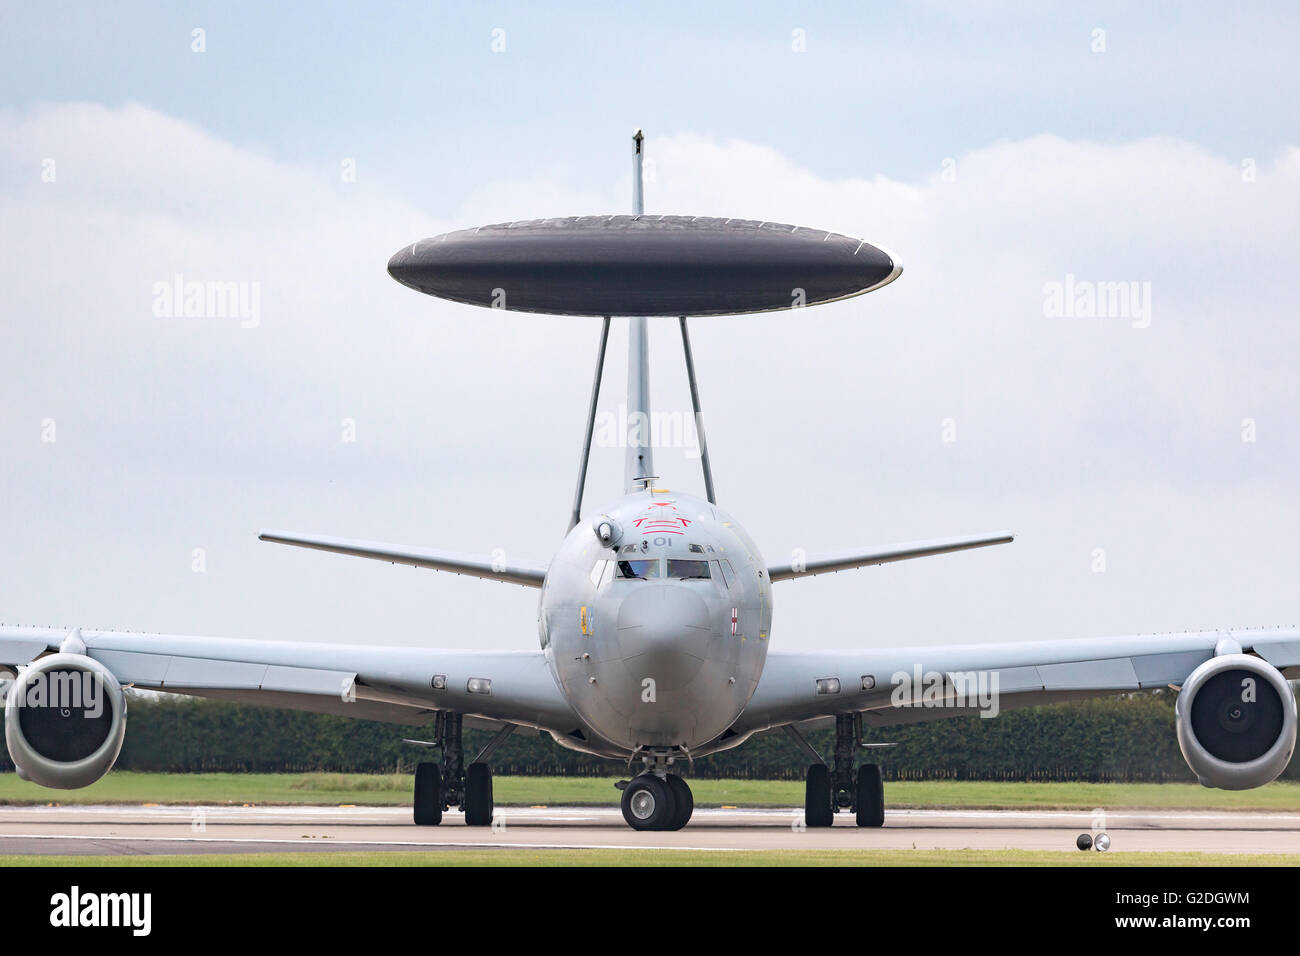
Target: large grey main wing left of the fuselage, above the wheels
(378,684)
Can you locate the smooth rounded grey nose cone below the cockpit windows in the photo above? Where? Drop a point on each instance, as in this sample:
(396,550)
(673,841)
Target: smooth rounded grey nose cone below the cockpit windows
(664,634)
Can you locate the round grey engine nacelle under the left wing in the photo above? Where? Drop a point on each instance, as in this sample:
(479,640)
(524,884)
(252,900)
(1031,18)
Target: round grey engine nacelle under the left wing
(64,721)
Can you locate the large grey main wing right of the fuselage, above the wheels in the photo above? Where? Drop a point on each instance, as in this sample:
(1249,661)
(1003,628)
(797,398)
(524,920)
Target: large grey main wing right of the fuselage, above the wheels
(887,686)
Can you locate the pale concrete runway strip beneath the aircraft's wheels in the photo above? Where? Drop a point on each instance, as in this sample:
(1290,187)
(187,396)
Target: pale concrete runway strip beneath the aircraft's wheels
(153,830)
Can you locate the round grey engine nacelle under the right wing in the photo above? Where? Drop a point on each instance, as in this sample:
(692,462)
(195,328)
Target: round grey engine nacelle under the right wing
(1237,723)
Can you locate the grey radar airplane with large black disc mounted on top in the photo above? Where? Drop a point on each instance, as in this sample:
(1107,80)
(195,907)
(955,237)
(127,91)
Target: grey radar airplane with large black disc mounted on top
(656,615)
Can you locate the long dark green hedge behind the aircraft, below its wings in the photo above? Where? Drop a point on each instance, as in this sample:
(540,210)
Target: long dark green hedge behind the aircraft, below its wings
(1129,738)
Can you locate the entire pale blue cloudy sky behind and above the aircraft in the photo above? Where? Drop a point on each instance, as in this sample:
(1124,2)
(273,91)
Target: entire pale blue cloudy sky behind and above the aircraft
(1015,155)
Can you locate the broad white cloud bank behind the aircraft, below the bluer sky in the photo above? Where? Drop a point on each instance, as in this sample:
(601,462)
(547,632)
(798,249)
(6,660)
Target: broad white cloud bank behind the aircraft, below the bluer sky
(826,426)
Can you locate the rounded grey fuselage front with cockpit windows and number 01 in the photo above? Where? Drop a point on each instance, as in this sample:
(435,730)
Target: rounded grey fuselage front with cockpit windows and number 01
(657,634)
